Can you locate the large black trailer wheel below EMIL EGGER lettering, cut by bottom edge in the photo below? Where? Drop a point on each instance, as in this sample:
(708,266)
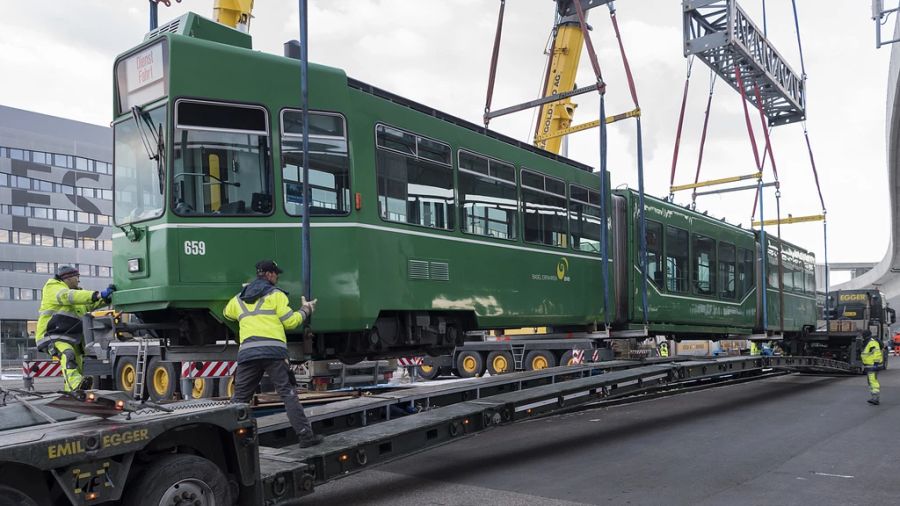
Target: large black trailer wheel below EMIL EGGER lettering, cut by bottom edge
(179,479)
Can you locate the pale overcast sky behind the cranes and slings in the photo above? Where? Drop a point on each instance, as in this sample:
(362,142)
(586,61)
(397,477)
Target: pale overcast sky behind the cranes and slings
(57,59)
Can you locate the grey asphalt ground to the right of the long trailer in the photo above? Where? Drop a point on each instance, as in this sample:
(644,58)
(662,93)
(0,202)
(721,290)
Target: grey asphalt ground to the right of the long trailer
(789,440)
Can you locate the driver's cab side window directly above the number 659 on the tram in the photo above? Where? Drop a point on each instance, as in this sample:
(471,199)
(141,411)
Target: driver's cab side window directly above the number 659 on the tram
(221,165)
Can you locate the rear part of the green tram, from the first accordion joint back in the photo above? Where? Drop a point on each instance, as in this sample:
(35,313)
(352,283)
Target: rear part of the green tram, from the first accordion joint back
(703,275)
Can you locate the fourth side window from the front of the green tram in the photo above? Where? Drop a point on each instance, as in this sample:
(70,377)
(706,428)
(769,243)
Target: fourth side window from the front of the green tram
(487,196)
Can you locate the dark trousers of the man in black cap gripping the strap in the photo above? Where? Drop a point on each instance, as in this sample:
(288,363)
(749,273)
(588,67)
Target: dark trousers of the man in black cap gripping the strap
(247,377)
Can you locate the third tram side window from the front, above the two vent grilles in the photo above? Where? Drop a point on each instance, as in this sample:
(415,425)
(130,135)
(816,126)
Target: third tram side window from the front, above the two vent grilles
(415,179)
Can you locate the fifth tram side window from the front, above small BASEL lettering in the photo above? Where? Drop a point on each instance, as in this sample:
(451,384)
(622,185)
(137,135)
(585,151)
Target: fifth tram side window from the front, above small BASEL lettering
(544,209)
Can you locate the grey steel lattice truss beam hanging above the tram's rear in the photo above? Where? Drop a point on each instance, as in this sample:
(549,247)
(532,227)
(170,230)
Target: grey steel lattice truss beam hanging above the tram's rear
(720,33)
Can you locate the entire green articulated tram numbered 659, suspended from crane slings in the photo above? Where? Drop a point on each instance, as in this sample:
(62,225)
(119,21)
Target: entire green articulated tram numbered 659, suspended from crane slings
(423,226)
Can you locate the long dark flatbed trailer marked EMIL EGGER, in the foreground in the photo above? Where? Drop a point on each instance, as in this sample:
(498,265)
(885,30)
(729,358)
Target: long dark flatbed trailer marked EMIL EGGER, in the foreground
(204,448)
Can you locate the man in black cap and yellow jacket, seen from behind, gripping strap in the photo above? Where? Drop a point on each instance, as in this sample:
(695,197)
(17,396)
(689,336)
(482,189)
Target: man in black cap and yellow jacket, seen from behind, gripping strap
(263,314)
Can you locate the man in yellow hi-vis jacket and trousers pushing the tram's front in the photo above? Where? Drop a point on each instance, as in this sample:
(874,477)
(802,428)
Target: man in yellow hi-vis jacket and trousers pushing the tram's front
(59,329)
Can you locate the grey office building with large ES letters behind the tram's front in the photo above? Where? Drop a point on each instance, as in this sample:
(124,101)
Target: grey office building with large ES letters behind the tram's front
(55,209)
